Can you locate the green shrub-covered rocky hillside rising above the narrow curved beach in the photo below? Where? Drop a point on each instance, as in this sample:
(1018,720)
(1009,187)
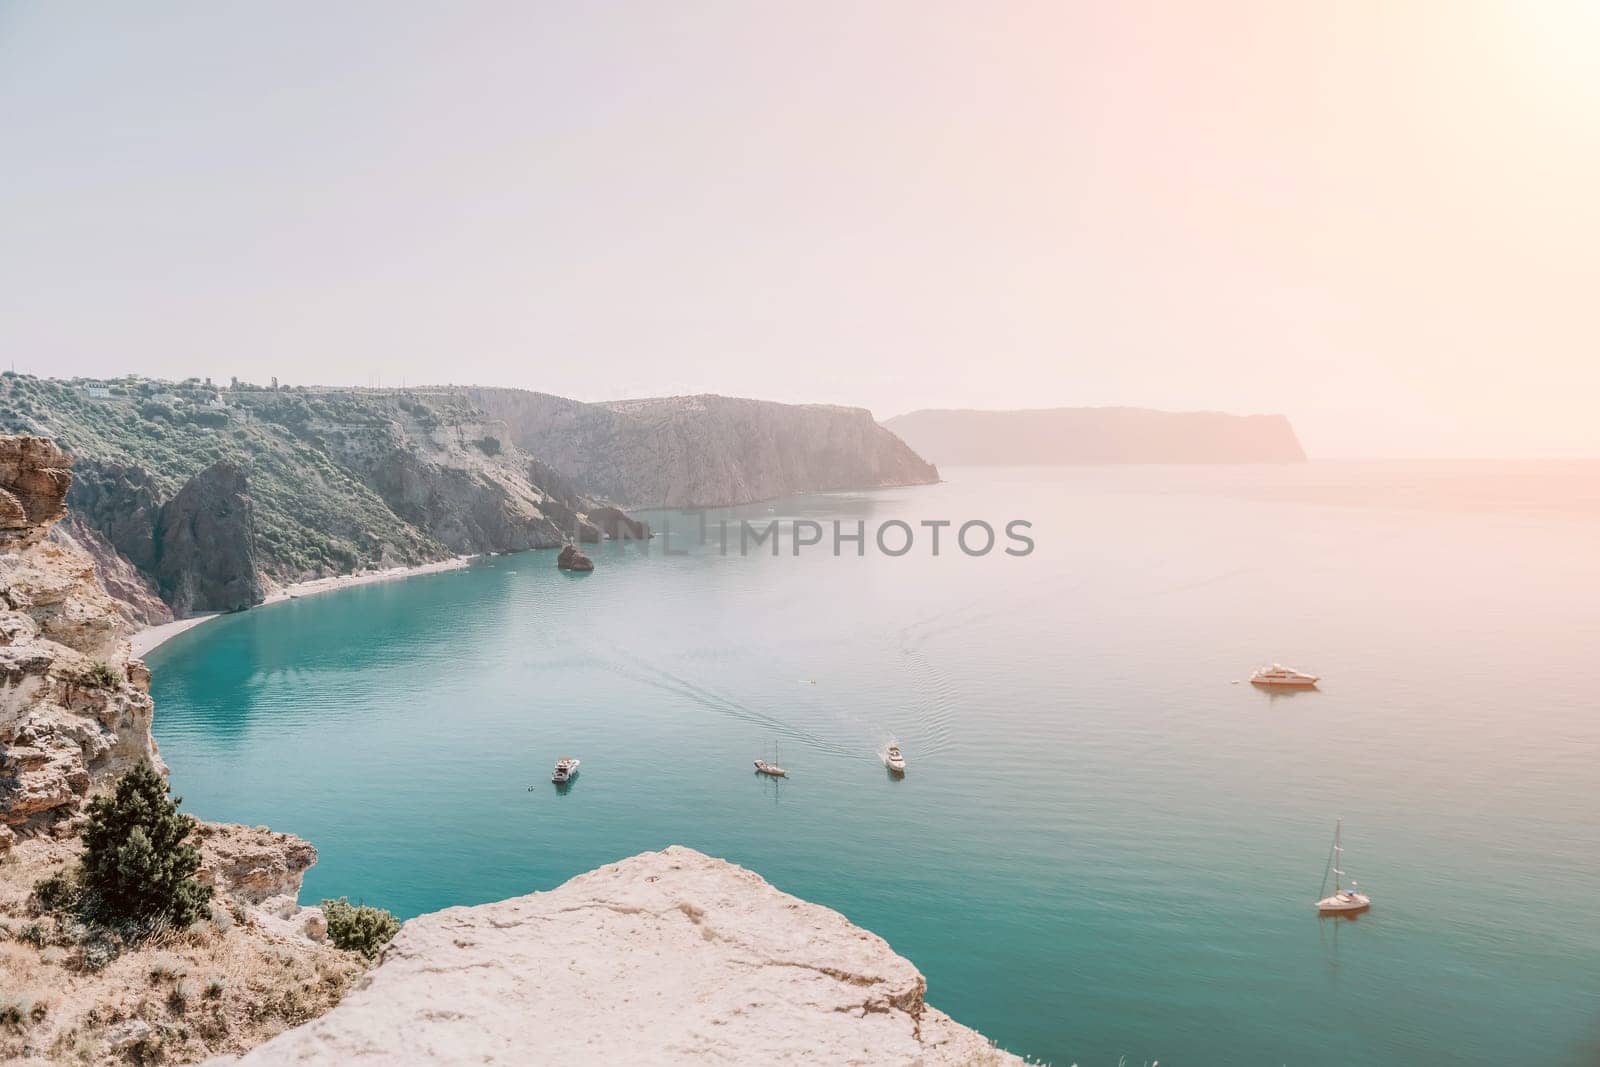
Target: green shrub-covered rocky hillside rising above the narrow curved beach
(297,484)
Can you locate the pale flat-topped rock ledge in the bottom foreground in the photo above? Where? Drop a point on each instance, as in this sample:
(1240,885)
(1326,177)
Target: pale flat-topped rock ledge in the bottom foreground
(665,957)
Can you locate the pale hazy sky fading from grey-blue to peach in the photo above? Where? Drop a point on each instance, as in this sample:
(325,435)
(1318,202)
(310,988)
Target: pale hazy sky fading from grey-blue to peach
(1378,218)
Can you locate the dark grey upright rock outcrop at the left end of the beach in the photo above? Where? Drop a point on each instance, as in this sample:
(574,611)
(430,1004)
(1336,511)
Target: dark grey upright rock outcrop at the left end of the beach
(207,545)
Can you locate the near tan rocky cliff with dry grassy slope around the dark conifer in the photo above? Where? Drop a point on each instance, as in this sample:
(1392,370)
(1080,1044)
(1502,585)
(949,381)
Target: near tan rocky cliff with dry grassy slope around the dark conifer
(74,716)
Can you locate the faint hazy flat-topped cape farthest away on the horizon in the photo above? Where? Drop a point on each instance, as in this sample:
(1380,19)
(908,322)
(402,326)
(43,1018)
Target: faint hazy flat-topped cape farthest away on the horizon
(1097,436)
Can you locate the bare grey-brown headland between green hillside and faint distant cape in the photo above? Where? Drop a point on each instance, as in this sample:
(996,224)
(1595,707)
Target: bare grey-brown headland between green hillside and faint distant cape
(703,452)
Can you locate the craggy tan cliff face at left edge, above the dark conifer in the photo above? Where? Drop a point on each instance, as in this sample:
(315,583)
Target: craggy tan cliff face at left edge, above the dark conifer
(74,709)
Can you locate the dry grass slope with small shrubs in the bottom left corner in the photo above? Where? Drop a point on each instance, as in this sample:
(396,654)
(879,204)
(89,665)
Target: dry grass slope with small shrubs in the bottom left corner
(180,997)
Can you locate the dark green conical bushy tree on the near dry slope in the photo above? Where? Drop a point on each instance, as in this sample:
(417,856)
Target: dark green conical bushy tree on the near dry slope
(137,860)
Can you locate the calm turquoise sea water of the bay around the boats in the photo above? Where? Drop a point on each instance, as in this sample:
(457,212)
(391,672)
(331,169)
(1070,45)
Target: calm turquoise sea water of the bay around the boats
(1106,847)
